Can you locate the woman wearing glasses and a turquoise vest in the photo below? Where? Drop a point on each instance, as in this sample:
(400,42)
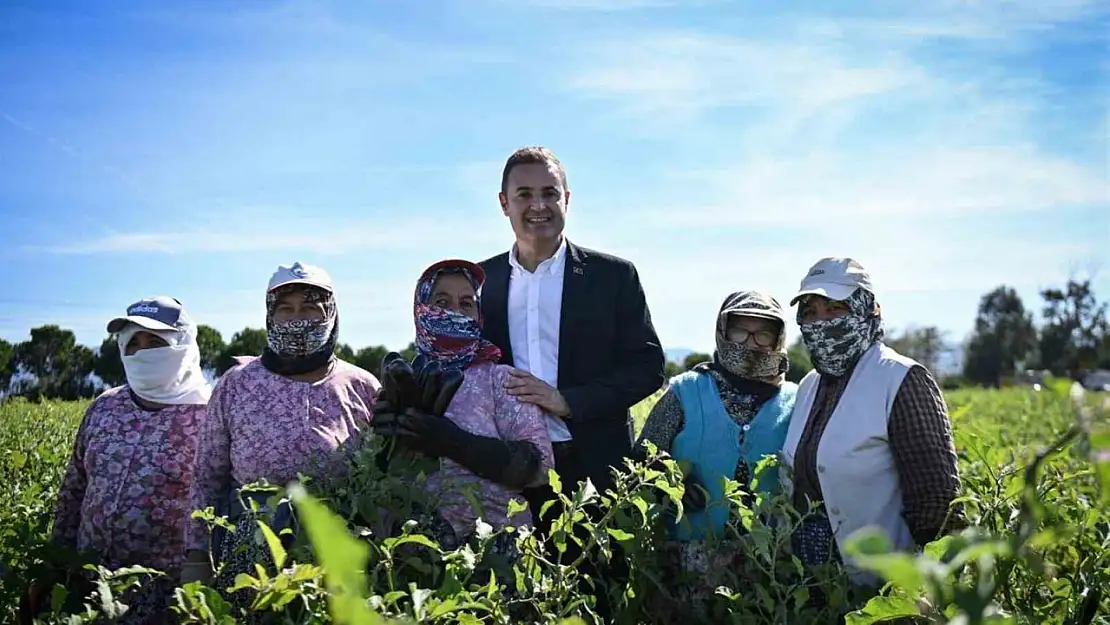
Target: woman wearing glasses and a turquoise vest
(722,418)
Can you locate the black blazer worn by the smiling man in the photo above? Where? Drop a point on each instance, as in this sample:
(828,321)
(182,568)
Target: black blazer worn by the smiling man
(610,354)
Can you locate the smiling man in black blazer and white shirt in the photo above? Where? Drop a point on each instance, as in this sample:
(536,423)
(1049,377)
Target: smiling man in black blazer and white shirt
(574,322)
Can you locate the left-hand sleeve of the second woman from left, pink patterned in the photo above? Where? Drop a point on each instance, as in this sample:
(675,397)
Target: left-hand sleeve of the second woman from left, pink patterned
(213,467)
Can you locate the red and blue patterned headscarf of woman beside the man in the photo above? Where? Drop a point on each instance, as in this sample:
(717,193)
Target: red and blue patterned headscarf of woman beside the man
(450,338)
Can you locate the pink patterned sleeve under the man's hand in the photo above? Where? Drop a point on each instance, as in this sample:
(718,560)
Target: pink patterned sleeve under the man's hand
(524,428)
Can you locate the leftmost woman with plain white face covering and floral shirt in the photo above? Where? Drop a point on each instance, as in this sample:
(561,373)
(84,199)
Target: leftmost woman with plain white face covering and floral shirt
(125,499)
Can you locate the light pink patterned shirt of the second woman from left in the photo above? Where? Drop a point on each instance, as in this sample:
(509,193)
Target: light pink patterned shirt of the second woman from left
(261,426)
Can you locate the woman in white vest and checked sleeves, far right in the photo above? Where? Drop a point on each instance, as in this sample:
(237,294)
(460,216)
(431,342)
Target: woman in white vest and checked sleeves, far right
(871,437)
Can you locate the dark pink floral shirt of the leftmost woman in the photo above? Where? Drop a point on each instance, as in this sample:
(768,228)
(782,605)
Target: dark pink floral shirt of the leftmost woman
(126,491)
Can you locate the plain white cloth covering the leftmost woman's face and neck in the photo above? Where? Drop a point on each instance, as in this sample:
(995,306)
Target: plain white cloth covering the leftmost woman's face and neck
(166,376)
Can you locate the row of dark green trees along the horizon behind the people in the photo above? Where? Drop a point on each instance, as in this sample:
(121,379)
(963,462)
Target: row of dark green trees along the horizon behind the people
(1074,338)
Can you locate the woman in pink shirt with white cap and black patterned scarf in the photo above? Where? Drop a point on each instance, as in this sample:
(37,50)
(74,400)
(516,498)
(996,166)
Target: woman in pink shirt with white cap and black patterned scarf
(295,410)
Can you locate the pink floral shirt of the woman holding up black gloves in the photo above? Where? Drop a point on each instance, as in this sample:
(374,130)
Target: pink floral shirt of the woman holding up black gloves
(482,407)
